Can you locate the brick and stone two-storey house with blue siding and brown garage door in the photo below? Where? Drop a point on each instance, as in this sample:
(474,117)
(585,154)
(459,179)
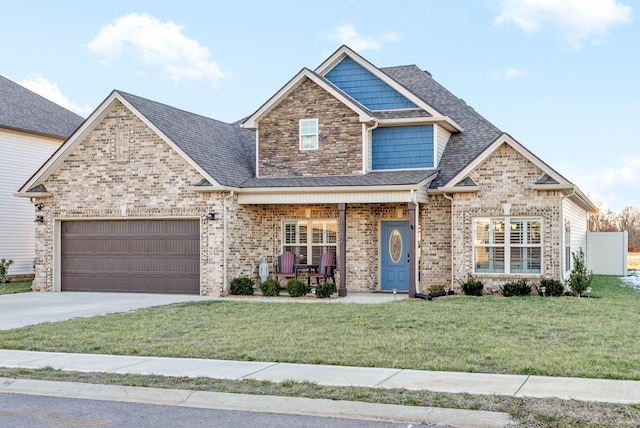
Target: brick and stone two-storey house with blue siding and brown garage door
(406,184)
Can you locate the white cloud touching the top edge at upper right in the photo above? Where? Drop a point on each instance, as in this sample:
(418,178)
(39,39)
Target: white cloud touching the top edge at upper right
(577,20)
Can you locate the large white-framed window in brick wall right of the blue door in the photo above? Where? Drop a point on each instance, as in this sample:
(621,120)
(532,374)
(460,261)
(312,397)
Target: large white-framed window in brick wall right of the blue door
(508,245)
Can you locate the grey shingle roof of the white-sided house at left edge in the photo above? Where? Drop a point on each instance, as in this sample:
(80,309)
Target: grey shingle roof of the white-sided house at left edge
(25,111)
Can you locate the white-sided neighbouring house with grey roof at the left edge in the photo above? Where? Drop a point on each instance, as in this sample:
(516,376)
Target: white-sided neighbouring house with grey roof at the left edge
(31,129)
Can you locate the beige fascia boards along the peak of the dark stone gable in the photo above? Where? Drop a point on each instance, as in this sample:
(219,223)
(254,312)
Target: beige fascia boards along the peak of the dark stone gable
(252,121)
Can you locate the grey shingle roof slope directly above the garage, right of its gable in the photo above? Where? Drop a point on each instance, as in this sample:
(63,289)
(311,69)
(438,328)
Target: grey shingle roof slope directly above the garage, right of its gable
(225,151)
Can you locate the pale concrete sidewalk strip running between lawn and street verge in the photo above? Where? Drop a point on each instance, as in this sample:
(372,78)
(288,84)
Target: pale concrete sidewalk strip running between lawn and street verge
(602,390)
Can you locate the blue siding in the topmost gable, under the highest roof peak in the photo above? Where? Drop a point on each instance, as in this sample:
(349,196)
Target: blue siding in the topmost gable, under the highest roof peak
(366,88)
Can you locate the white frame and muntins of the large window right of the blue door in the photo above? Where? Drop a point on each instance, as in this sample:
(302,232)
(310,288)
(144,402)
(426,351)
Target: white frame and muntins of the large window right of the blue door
(507,246)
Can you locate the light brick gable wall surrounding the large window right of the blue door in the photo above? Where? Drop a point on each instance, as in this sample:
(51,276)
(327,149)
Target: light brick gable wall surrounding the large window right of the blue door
(505,177)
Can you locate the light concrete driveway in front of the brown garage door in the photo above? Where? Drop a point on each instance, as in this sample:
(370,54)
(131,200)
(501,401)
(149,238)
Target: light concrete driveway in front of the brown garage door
(22,309)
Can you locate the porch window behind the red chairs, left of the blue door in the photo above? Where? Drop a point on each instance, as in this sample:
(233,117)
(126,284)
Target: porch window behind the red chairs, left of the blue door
(309,239)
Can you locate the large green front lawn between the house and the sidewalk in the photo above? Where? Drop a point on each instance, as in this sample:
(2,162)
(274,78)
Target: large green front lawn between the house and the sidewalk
(595,337)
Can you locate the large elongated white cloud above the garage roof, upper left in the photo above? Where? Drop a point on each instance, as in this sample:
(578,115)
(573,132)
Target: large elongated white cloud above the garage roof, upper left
(157,44)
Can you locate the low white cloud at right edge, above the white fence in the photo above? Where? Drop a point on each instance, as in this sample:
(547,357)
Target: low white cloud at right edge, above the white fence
(617,186)
